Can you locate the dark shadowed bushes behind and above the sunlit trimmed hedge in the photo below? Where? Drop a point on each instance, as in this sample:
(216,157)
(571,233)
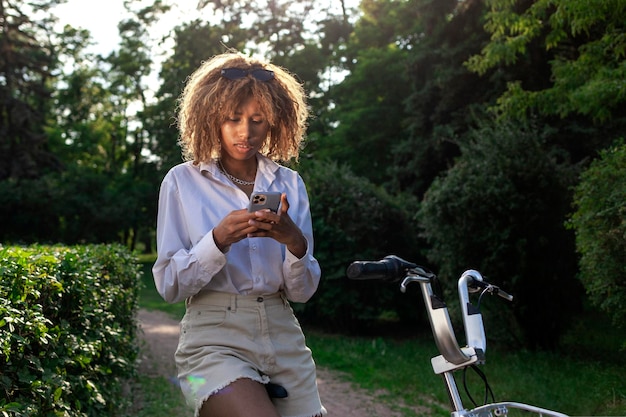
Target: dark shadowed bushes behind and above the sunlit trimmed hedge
(78,205)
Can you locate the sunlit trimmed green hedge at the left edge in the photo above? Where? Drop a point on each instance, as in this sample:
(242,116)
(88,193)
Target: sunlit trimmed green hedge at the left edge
(67,329)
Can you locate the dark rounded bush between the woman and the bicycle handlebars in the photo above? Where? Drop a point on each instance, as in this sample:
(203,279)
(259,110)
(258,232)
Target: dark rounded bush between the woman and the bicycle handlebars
(356,220)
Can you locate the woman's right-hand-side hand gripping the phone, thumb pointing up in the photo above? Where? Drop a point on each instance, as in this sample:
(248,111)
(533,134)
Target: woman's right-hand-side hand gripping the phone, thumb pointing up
(280,227)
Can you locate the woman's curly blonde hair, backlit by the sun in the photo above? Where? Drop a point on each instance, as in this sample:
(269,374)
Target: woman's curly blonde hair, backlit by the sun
(209,99)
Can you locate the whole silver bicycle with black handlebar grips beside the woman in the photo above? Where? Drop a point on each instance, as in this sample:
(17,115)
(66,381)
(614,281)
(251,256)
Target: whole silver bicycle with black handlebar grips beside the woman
(452,358)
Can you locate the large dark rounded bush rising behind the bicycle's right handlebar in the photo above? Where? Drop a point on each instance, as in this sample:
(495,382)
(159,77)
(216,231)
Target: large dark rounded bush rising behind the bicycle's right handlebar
(500,209)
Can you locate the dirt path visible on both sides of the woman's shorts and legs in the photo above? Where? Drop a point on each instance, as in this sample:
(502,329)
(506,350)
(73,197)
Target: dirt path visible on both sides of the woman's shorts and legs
(340,398)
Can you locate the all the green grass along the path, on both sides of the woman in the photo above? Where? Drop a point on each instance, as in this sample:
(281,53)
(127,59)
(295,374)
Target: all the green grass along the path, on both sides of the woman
(583,380)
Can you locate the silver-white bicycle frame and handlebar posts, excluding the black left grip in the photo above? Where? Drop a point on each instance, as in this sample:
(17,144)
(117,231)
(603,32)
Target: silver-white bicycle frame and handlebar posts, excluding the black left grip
(453,357)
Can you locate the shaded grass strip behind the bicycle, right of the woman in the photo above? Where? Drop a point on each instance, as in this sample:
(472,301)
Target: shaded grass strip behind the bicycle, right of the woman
(546,379)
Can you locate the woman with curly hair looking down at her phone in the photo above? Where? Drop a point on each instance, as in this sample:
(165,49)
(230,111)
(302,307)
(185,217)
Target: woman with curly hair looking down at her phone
(235,269)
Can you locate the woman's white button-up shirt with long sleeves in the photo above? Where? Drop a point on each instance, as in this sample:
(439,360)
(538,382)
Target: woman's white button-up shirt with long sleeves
(193,200)
